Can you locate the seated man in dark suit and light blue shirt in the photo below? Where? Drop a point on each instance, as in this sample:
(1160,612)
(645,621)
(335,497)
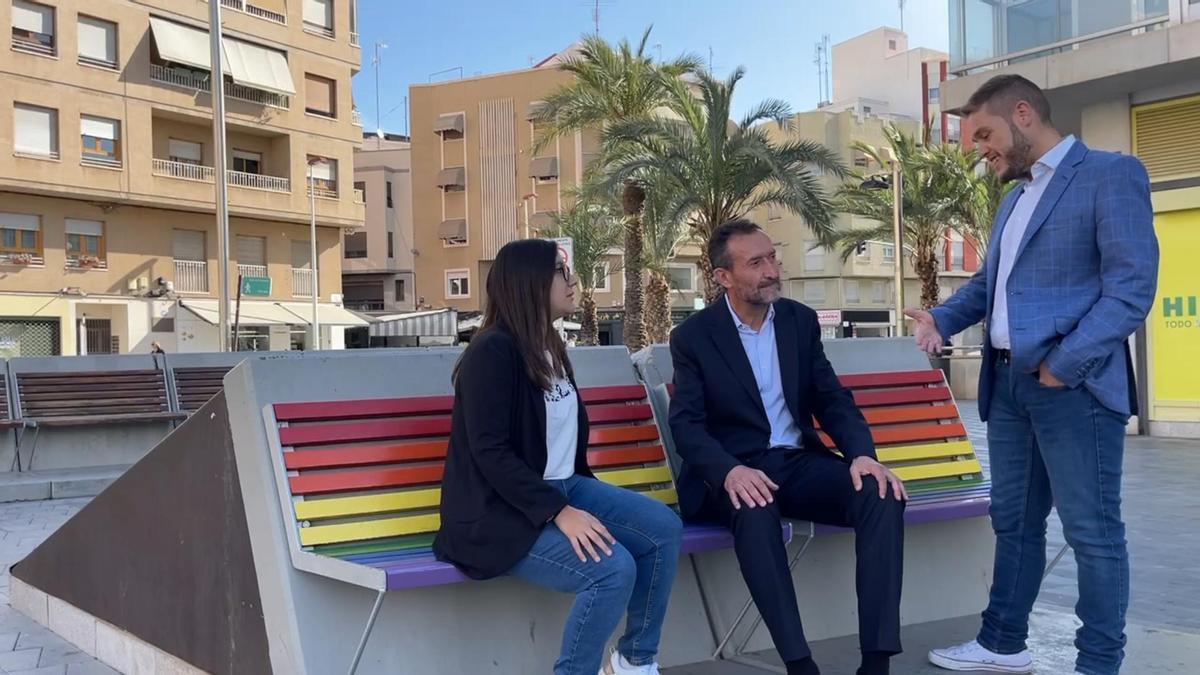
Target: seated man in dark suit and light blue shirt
(749,377)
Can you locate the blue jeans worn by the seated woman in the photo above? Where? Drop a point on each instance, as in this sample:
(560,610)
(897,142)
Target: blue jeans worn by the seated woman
(635,580)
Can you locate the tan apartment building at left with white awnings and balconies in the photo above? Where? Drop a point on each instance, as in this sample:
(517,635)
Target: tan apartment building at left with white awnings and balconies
(107,172)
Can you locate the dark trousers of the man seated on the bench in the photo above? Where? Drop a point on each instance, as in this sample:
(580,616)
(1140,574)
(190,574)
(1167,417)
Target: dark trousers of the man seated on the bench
(815,486)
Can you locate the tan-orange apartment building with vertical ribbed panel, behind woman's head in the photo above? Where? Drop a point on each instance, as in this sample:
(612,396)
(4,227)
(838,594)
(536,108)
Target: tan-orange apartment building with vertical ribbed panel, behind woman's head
(478,186)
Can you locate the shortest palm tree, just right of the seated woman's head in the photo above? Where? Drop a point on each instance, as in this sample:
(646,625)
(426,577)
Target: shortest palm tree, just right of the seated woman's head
(595,230)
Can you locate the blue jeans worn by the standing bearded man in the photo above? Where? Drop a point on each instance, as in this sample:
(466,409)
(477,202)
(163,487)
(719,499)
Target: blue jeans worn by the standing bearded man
(1061,447)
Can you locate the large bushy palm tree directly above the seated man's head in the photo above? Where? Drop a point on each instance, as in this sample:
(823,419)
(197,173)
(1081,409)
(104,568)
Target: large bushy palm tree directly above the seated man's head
(715,170)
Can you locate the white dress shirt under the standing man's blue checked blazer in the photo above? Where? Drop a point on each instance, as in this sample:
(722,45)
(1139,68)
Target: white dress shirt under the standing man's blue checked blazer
(1015,231)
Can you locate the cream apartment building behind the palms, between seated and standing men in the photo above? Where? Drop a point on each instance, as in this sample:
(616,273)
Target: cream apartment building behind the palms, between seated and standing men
(854,298)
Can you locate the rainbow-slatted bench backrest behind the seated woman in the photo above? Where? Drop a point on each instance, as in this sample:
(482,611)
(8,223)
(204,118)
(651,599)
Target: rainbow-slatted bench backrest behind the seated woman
(365,476)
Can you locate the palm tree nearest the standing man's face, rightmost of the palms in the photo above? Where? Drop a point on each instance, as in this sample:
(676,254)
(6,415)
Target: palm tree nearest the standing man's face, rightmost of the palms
(929,200)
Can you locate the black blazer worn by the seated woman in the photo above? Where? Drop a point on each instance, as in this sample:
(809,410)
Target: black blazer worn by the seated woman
(495,501)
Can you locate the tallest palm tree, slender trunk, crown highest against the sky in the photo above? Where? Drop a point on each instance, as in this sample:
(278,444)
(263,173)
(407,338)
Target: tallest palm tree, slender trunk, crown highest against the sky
(611,86)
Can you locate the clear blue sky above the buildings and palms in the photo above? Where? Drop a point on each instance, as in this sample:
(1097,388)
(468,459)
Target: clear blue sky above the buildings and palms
(775,40)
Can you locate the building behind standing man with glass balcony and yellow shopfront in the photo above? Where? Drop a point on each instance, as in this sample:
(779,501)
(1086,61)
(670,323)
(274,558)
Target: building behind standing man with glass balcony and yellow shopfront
(1124,77)
